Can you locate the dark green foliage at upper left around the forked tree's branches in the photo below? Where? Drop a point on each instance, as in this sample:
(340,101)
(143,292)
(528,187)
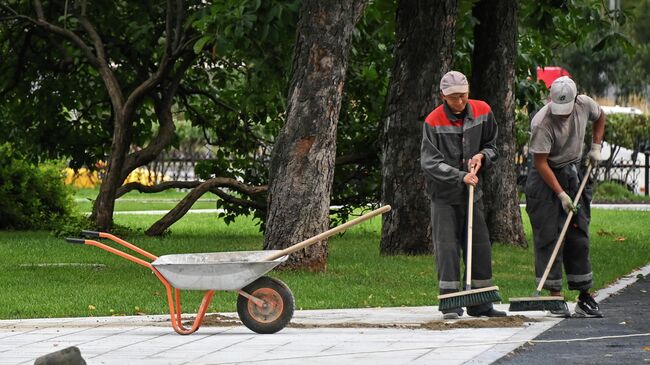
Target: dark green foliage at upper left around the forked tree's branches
(54,103)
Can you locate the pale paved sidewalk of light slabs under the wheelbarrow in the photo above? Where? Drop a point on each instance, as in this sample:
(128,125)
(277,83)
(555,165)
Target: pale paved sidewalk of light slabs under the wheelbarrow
(366,336)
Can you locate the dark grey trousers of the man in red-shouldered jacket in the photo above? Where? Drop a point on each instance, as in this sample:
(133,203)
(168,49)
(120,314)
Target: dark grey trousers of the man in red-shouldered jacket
(449,224)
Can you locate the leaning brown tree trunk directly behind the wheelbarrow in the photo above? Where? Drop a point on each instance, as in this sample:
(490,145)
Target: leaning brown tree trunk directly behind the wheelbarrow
(302,163)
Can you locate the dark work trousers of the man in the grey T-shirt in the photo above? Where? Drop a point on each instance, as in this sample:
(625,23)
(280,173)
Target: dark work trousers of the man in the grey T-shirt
(547,217)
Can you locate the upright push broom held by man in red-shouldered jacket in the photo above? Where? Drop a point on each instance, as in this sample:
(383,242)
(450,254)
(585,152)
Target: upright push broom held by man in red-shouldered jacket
(469,297)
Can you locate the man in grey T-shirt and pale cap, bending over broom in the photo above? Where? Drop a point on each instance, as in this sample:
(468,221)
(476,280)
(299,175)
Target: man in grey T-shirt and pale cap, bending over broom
(556,143)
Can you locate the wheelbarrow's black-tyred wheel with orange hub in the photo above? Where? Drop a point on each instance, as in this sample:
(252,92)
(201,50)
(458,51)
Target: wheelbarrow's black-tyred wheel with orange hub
(277,310)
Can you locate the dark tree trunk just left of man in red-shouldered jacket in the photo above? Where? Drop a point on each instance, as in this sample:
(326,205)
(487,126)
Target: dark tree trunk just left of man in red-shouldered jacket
(425,32)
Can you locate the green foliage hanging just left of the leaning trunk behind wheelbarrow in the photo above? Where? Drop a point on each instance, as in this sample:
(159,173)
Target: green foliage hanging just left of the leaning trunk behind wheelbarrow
(245,49)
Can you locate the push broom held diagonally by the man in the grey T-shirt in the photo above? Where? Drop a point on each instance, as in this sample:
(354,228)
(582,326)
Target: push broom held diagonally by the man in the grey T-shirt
(549,303)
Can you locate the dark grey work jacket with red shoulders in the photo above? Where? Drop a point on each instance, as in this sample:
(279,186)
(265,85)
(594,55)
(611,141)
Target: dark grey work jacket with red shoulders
(449,143)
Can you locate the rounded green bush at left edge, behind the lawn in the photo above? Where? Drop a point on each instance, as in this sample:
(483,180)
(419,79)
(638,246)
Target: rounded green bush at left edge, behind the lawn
(31,197)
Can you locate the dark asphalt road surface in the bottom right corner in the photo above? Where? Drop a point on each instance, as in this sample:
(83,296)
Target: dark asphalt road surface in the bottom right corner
(625,313)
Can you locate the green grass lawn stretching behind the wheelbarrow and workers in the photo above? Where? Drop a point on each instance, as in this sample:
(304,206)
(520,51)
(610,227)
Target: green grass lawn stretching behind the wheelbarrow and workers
(94,282)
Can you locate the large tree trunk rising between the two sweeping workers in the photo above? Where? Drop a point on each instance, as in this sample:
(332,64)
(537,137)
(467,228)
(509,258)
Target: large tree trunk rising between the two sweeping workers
(493,80)
